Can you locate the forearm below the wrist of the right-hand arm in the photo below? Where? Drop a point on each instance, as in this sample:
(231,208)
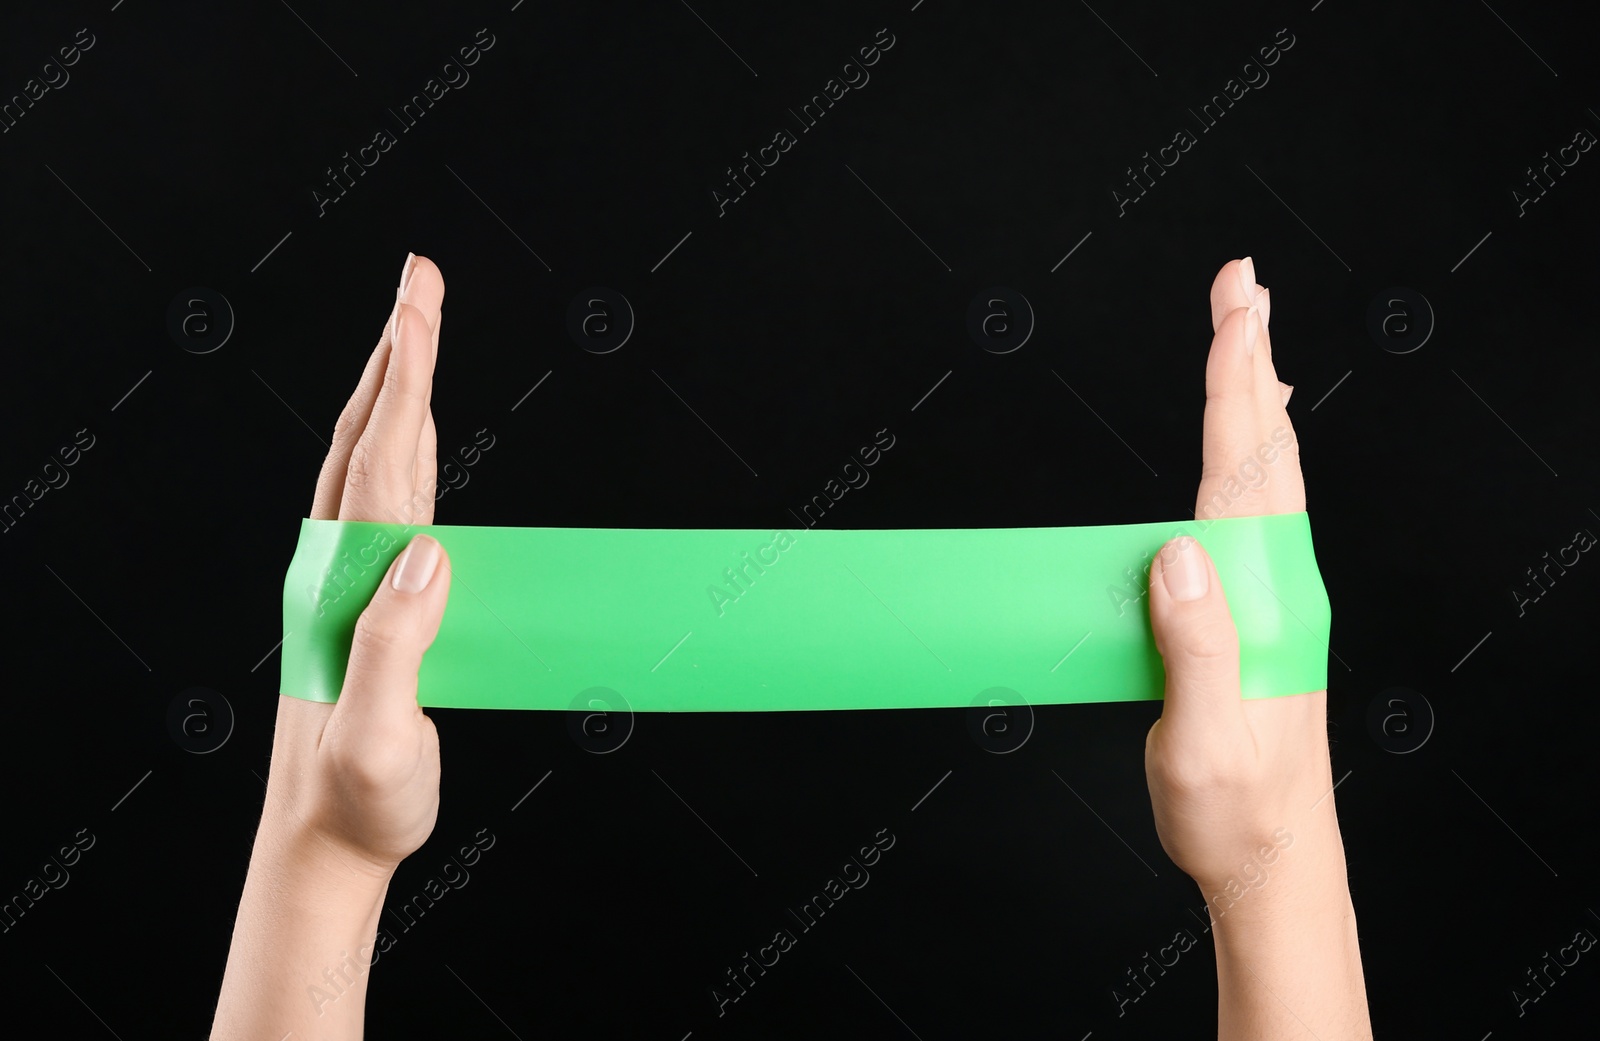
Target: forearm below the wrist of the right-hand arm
(1287,957)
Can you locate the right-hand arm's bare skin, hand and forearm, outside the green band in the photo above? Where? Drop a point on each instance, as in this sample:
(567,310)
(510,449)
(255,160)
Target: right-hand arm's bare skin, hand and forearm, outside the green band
(1242,791)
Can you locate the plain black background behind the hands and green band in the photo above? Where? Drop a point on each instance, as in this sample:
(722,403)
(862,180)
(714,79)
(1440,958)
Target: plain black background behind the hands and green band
(1382,153)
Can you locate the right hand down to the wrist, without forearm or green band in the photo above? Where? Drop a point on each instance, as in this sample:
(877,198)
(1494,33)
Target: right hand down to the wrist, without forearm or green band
(1233,781)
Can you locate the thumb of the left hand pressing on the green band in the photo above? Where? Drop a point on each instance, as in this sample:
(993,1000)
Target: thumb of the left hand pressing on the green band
(393,634)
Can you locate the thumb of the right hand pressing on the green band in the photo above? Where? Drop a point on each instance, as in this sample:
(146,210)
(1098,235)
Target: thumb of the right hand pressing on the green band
(1199,644)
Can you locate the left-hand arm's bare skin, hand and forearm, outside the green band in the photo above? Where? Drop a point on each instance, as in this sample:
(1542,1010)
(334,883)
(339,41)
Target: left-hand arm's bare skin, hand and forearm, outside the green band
(354,786)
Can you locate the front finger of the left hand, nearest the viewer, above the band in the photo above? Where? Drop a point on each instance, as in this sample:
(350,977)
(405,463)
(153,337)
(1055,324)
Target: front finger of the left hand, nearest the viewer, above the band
(383,461)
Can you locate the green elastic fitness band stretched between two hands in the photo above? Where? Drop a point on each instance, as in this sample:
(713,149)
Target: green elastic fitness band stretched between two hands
(809,620)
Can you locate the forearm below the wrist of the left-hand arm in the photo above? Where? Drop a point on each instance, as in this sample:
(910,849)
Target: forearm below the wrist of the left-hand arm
(302,946)
